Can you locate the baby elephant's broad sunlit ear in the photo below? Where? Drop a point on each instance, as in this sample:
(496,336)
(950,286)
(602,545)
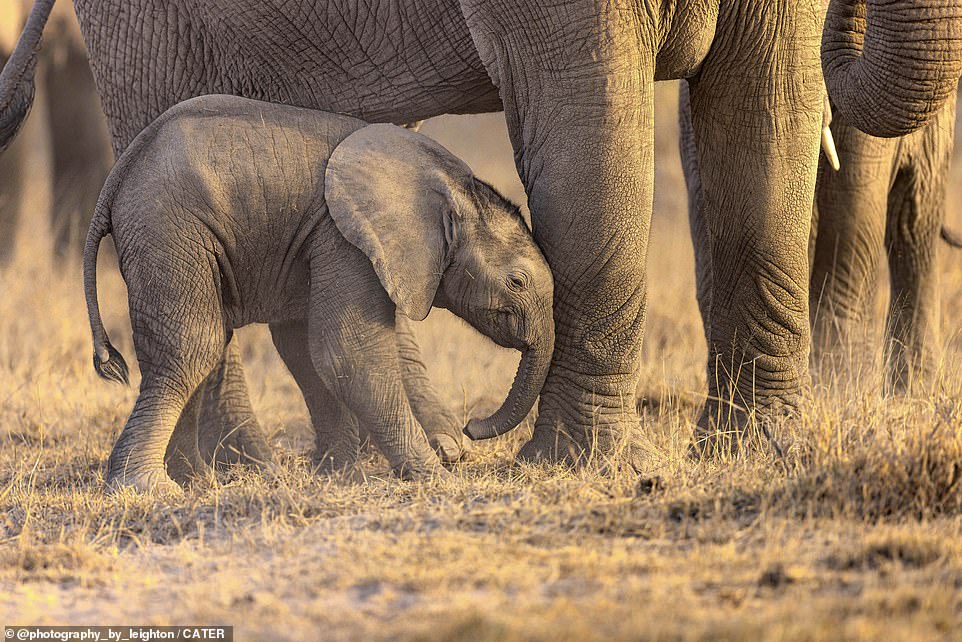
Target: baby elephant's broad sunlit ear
(392,193)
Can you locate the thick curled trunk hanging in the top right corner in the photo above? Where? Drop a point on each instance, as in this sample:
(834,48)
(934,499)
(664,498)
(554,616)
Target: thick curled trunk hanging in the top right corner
(890,65)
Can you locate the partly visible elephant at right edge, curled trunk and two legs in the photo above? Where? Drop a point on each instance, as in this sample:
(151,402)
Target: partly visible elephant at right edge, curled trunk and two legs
(894,120)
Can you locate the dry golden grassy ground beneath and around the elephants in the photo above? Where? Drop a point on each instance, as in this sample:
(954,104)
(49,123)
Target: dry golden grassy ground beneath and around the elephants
(854,532)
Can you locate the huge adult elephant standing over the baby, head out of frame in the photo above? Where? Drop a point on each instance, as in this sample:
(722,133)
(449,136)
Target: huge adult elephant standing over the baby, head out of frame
(575,78)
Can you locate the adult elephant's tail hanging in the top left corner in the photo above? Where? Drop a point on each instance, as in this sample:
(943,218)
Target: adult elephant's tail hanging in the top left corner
(16,80)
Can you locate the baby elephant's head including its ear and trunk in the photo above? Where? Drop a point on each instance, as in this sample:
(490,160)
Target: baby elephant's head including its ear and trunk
(437,235)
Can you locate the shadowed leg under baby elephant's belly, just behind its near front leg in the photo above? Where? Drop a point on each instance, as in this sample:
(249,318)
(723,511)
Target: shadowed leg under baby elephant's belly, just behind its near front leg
(335,427)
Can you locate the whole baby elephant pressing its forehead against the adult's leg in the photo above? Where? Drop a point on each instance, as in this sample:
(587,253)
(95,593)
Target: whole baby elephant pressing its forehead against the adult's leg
(227,211)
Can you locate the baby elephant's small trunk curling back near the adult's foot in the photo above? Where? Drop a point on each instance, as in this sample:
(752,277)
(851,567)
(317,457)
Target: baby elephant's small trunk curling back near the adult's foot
(532,372)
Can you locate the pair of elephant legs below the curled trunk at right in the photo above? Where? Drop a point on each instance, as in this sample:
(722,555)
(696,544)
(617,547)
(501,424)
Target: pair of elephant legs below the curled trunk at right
(886,202)
